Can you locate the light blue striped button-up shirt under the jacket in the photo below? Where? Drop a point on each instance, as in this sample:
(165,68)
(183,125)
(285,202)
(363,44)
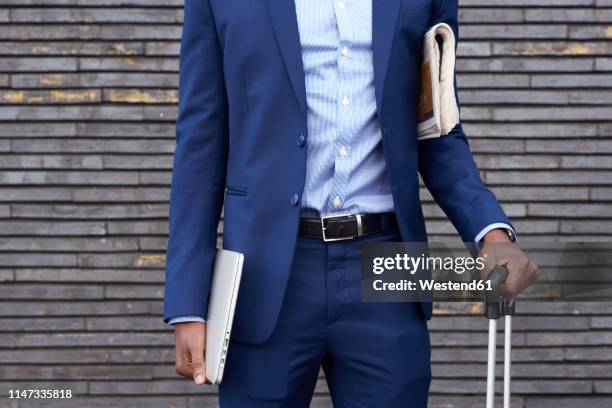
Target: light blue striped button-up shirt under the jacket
(345,170)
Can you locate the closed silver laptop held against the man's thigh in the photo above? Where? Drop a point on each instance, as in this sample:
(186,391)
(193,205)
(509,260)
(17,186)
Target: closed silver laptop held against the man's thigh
(221,305)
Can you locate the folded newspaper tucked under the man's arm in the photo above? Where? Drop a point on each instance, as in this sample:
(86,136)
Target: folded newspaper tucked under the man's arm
(438,111)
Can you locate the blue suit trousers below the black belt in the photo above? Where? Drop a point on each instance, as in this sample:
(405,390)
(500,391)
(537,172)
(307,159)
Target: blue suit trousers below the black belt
(373,354)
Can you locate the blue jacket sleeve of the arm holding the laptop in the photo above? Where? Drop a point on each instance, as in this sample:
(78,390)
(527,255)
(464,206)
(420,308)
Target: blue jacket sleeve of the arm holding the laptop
(198,179)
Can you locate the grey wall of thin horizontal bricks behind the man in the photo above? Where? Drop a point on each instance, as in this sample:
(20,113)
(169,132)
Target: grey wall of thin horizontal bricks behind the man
(87,108)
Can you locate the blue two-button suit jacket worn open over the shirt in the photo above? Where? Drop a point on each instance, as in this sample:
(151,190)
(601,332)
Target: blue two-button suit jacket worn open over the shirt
(241,113)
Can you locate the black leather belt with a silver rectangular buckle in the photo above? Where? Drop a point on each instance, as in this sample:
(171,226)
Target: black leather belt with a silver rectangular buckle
(346,226)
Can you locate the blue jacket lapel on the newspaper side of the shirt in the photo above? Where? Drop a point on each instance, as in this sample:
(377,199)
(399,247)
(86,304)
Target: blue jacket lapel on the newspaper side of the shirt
(385,14)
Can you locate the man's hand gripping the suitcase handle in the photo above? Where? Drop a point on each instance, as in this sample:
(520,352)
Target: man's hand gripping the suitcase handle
(498,250)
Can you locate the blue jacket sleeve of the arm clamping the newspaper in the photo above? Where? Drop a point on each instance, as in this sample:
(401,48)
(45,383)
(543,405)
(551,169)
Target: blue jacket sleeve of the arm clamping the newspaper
(448,169)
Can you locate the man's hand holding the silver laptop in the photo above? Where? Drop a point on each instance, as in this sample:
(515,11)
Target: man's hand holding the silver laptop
(190,344)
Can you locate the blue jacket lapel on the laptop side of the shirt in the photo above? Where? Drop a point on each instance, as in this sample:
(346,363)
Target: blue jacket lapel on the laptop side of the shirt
(284,20)
